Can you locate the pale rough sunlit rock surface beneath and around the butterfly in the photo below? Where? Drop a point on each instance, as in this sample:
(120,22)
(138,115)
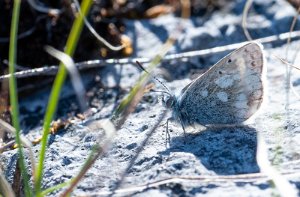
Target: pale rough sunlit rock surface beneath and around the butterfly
(210,153)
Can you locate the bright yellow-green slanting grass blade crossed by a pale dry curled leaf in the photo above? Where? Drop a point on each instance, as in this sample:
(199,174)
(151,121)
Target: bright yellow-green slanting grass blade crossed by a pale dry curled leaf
(58,83)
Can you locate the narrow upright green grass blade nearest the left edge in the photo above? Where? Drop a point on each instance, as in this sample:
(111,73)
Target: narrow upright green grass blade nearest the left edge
(13,92)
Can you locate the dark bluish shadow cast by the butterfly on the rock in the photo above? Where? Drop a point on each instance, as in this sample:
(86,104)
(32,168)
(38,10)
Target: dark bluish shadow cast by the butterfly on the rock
(226,151)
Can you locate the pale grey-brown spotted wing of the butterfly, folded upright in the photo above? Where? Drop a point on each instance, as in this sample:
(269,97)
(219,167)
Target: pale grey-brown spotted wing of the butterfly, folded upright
(229,92)
